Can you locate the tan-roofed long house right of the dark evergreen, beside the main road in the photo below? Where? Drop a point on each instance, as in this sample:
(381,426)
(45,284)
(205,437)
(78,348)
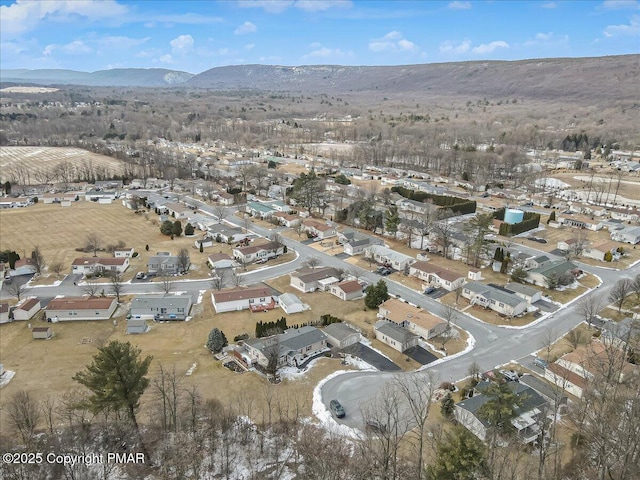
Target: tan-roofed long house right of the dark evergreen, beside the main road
(414,319)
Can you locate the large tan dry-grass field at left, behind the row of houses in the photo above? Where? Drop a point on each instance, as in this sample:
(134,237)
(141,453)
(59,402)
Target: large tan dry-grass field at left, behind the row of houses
(59,231)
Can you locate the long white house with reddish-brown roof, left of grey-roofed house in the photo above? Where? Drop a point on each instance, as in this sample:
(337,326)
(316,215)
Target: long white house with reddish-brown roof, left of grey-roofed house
(80,308)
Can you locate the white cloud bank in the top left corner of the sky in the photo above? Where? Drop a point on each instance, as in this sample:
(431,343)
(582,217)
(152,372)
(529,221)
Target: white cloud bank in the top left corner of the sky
(24,16)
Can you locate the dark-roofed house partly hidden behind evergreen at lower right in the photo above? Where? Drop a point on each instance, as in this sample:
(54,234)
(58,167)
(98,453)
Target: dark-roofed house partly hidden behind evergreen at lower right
(526,423)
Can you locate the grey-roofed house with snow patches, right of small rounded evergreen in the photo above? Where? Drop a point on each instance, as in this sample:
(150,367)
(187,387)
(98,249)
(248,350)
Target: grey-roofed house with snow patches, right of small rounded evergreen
(293,347)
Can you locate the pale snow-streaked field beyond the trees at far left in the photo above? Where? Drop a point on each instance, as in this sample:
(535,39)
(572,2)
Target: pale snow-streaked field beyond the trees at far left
(37,165)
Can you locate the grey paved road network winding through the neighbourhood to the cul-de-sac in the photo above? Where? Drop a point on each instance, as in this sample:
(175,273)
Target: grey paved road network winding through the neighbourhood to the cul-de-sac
(493,345)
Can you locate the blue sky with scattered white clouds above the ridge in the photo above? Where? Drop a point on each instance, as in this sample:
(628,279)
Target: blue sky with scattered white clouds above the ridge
(197,35)
